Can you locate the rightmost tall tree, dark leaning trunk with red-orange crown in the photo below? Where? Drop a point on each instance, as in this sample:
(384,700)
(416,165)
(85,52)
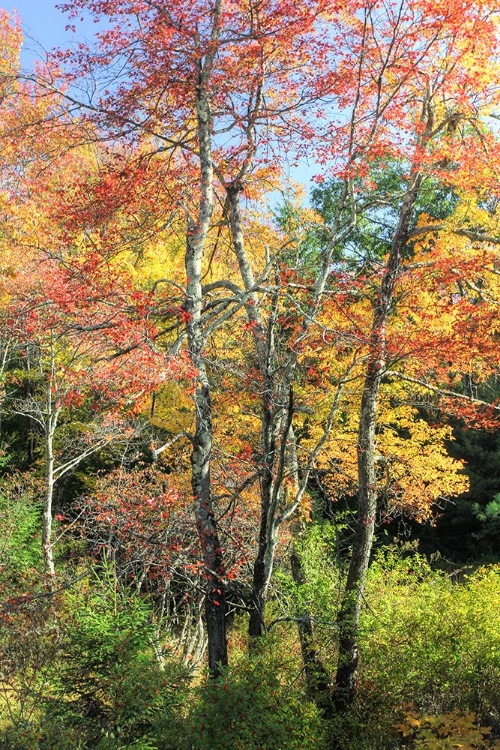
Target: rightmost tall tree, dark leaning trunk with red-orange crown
(433,97)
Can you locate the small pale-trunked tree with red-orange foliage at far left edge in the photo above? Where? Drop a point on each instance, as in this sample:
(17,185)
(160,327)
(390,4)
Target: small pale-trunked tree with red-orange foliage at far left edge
(79,333)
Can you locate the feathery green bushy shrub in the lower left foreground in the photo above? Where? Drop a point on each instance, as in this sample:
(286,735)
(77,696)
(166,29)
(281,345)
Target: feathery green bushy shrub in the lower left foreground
(107,689)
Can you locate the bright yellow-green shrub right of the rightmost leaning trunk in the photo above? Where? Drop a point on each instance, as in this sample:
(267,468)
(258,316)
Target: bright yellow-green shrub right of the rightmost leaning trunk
(430,639)
